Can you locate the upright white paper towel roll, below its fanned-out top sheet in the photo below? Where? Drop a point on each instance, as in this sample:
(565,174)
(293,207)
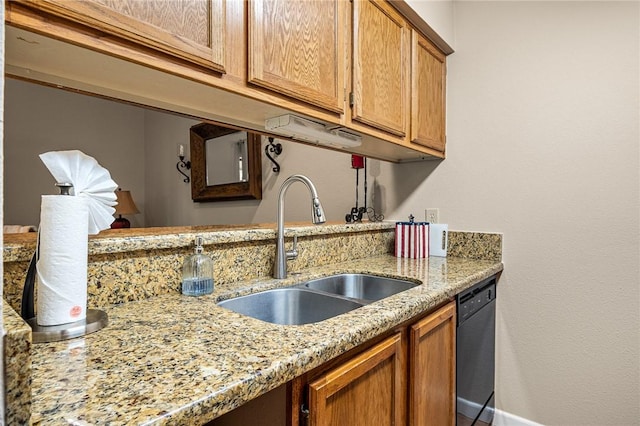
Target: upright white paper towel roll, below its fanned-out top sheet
(62,262)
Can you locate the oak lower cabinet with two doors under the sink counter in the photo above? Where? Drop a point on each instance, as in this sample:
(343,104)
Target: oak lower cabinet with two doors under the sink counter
(406,379)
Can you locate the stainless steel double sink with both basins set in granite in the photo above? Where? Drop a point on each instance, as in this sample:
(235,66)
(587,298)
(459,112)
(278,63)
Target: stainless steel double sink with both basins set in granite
(316,300)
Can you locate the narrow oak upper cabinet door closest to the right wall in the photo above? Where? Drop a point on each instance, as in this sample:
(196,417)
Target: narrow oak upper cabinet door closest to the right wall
(428,76)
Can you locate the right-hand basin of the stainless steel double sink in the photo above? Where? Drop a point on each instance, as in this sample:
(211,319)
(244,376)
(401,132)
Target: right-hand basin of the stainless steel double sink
(367,288)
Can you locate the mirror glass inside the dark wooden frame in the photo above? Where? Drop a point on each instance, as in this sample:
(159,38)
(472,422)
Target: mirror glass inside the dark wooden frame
(227,159)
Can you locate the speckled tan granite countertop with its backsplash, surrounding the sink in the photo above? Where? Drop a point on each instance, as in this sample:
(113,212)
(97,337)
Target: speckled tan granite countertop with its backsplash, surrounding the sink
(172,359)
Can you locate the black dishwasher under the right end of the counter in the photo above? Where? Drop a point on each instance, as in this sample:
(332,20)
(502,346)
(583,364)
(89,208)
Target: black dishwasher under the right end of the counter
(475,354)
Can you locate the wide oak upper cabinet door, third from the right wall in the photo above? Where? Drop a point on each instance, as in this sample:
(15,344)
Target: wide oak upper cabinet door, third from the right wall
(297,48)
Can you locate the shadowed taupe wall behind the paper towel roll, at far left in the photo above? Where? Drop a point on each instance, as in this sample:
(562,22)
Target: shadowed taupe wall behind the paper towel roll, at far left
(40,119)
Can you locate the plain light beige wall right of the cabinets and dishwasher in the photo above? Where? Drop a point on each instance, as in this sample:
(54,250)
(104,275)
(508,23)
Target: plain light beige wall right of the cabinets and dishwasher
(543,145)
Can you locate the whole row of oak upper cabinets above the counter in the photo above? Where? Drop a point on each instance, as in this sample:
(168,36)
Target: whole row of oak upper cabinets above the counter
(262,57)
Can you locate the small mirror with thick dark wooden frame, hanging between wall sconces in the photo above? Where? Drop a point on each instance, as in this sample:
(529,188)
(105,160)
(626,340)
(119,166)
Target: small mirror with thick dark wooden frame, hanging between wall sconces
(225,164)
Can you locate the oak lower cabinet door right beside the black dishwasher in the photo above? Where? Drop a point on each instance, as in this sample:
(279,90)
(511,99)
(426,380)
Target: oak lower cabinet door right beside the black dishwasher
(432,369)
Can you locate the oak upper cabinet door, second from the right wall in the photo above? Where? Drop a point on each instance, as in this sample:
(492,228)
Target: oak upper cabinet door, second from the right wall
(380,66)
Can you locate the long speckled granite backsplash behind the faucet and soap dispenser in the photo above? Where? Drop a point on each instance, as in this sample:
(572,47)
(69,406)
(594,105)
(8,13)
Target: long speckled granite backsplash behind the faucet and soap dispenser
(126,266)
